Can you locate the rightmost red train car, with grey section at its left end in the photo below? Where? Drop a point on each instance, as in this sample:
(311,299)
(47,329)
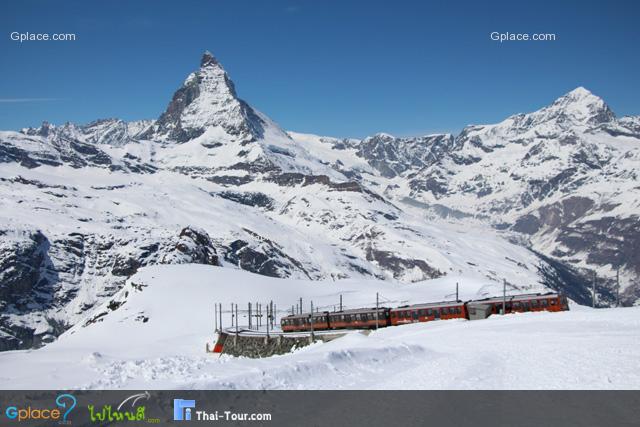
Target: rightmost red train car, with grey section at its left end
(517,304)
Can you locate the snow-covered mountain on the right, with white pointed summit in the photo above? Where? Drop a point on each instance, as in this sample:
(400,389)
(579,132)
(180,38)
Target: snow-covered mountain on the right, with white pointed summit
(564,177)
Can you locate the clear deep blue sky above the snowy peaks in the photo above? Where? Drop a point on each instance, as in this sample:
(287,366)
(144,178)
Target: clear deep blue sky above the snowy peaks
(342,68)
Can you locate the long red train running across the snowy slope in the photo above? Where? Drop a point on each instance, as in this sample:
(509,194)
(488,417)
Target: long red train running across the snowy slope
(368,318)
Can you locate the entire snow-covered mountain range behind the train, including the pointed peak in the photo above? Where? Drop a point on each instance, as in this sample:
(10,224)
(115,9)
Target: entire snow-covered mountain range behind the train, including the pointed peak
(213,181)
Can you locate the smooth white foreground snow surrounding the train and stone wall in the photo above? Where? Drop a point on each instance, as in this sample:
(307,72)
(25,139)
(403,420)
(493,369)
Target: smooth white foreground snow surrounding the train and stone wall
(580,349)
